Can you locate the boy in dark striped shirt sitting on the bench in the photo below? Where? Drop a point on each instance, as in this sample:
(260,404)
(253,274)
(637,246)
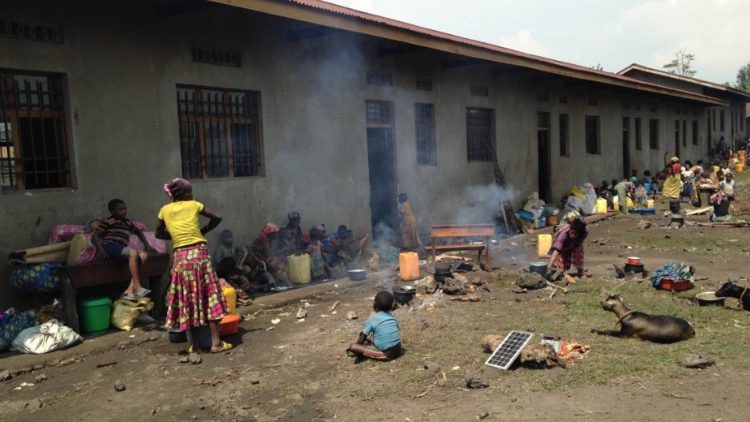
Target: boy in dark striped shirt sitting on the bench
(111,241)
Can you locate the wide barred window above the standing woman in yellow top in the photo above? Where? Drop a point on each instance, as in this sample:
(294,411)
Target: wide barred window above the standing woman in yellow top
(220,132)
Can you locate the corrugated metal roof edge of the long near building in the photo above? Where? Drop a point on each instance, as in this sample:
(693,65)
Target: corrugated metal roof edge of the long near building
(530,61)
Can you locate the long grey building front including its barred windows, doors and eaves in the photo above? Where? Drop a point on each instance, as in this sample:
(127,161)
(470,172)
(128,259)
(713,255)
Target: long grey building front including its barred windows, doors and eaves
(272,106)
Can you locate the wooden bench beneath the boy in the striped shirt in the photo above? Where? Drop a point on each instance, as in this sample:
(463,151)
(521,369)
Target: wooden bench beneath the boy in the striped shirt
(110,272)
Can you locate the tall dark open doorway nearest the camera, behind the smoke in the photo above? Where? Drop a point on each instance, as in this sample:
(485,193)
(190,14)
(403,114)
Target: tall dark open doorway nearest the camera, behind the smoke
(381,162)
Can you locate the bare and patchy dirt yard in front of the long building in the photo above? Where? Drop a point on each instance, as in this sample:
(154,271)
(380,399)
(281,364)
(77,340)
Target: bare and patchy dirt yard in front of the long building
(297,370)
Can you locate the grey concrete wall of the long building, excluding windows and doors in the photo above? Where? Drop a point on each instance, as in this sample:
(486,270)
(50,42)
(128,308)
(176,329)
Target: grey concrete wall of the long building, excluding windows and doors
(122,64)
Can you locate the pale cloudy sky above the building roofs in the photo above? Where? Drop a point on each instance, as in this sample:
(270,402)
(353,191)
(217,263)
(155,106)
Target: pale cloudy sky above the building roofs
(610,33)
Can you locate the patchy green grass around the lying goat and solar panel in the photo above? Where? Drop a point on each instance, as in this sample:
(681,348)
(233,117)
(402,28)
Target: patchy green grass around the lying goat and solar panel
(454,335)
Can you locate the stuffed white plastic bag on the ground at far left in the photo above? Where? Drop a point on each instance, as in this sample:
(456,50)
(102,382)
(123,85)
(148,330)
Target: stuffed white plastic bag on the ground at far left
(48,337)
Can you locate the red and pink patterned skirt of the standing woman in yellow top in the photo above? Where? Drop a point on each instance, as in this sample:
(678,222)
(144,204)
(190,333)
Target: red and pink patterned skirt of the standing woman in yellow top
(194,296)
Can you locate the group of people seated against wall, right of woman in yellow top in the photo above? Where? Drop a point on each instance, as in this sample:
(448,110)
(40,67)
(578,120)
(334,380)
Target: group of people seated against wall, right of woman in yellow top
(262,266)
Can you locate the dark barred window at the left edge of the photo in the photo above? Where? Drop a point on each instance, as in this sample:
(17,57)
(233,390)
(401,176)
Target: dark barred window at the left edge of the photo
(33,135)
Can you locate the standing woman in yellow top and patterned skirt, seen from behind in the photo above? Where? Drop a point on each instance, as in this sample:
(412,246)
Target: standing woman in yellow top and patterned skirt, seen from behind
(194,297)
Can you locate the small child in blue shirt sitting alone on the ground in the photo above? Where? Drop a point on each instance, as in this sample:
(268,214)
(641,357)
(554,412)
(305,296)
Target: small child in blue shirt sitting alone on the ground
(386,335)
